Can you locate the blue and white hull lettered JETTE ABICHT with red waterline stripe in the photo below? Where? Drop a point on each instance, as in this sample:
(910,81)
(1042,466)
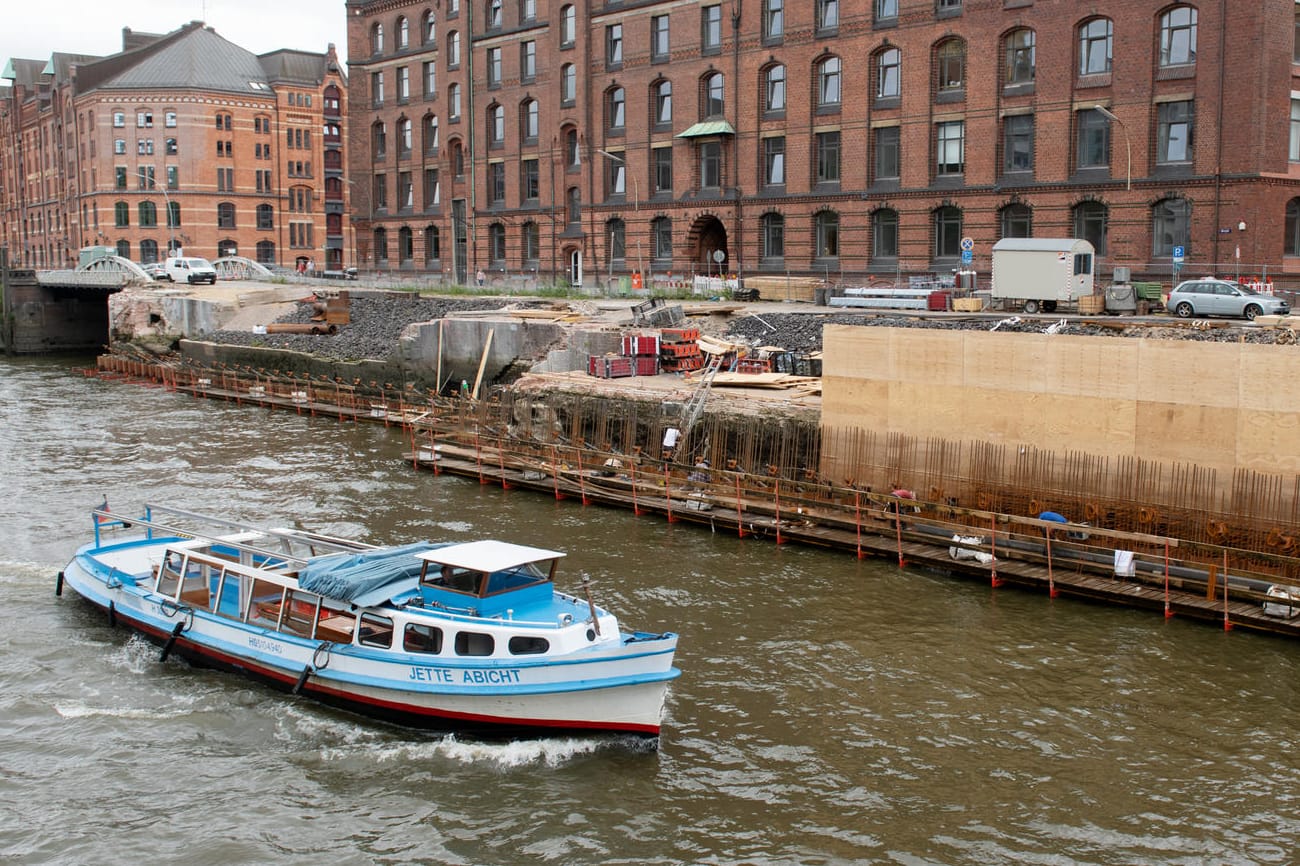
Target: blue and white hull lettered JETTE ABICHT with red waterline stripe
(618,691)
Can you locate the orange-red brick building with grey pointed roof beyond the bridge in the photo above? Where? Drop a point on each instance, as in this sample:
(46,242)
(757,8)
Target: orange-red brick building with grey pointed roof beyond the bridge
(180,141)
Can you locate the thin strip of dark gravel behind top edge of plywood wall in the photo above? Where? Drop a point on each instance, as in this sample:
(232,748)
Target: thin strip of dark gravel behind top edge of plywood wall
(803,332)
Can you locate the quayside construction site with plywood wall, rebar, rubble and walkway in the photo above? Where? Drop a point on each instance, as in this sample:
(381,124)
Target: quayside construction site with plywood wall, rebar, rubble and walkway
(1151,465)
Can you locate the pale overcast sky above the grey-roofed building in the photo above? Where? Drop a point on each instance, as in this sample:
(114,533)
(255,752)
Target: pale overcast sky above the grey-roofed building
(96,27)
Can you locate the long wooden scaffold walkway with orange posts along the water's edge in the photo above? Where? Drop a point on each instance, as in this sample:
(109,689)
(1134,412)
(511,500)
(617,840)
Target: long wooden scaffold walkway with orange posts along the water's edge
(1032,555)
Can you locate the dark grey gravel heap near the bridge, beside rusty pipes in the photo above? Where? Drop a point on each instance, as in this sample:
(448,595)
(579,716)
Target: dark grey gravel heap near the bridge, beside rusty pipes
(378,323)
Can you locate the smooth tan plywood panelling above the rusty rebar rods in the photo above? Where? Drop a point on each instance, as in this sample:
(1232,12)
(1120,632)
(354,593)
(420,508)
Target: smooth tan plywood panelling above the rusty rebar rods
(1216,406)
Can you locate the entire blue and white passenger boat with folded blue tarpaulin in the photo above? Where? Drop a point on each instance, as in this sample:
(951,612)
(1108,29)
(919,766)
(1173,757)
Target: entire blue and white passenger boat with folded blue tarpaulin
(466,636)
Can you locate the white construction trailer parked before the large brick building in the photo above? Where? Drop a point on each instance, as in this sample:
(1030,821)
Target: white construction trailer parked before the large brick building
(1041,274)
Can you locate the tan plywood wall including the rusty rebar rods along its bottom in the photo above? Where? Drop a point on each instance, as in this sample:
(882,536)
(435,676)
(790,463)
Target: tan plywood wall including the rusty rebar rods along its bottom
(1219,410)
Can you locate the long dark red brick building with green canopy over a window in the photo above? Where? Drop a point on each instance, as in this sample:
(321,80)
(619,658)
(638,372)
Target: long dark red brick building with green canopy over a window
(821,137)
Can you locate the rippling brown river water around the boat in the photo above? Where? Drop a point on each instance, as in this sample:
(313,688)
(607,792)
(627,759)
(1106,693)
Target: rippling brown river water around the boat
(830,711)
